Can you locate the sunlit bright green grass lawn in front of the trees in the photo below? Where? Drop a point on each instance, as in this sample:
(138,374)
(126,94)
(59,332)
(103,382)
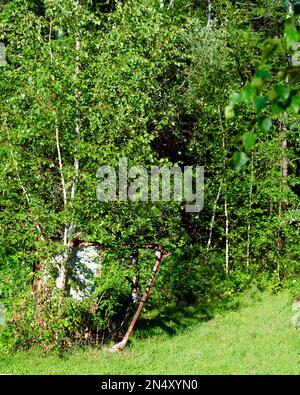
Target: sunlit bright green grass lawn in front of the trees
(256,338)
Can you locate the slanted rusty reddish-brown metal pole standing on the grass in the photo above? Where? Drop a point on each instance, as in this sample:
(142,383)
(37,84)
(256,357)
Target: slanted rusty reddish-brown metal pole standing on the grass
(119,346)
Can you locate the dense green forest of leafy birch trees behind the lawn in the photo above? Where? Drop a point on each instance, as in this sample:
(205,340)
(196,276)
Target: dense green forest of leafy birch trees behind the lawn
(158,83)
